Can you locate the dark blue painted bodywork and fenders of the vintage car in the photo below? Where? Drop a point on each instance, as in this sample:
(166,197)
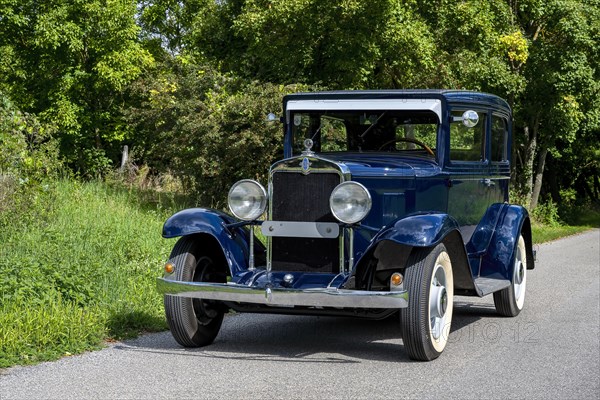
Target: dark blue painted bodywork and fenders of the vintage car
(417,201)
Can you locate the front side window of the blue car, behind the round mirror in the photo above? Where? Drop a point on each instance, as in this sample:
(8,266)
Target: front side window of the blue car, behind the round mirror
(467,144)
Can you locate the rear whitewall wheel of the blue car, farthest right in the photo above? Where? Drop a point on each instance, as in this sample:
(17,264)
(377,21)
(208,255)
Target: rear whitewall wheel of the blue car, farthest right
(510,301)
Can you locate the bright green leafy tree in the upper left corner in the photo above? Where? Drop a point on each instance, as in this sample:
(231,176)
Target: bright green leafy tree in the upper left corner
(69,61)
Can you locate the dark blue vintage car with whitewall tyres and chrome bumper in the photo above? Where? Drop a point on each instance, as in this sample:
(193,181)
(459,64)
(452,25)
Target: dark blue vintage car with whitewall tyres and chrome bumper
(386,203)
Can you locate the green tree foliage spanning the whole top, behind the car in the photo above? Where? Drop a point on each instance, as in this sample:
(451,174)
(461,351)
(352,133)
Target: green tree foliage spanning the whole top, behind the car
(83,65)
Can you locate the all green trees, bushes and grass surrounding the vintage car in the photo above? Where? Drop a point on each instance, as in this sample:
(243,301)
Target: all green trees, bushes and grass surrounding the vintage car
(186,84)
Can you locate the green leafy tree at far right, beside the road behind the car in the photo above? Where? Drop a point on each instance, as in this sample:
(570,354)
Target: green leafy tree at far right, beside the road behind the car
(560,103)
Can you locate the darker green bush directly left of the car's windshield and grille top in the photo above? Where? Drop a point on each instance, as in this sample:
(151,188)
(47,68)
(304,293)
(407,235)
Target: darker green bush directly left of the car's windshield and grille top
(205,127)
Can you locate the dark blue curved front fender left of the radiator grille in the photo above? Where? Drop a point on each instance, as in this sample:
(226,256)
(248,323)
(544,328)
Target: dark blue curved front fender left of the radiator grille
(234,242)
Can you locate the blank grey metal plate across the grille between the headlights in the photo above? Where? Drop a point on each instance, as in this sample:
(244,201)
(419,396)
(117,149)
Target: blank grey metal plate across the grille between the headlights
(324,230)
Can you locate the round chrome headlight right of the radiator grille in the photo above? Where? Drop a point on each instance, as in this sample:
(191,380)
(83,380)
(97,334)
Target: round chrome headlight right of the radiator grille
(350,202)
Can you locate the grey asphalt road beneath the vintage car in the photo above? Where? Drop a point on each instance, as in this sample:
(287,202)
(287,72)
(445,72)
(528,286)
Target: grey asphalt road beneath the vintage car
(551,350)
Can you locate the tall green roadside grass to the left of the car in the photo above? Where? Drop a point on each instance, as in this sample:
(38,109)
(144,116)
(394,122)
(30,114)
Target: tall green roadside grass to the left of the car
(83,274)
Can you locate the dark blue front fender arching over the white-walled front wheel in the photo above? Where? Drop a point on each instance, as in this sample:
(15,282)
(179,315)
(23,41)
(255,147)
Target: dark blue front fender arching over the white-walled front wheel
(393,244)
